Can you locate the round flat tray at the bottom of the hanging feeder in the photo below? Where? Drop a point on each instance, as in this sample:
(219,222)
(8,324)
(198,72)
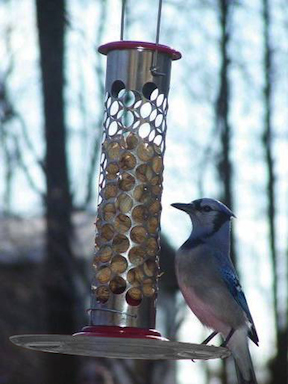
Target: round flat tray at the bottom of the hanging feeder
(115,347)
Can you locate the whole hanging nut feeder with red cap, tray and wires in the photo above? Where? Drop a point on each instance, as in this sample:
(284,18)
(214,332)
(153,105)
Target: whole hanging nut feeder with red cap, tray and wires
(125,285)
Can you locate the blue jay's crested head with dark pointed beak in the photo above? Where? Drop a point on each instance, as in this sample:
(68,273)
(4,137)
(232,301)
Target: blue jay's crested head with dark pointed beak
(207,215)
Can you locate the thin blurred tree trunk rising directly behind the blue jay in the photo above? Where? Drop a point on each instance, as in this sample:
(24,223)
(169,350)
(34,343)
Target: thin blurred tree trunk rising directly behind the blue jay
(223,127)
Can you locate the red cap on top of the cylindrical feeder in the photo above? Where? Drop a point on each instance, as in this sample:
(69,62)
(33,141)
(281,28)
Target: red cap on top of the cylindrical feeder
(141,45)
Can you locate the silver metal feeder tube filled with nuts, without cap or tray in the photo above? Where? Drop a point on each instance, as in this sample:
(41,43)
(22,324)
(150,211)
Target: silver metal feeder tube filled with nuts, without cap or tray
(124,289)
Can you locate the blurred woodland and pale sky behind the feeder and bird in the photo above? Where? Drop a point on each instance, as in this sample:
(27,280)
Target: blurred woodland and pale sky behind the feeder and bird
(227,139)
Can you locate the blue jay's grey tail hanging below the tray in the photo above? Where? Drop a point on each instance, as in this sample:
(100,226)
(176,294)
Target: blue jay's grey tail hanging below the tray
(238,345)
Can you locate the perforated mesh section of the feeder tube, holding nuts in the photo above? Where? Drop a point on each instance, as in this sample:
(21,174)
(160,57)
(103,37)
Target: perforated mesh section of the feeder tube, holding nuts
(131,176)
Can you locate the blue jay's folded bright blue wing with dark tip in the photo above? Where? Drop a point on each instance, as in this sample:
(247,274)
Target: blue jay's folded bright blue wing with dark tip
(231,280)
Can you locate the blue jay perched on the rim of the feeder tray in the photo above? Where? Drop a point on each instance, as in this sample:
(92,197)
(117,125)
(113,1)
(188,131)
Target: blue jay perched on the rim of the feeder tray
(210,284)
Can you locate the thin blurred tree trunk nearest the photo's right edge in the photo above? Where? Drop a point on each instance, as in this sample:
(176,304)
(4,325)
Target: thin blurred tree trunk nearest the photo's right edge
(279,366)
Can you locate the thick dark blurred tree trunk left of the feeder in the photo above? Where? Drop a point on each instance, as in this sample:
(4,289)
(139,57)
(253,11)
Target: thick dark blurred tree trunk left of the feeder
(59,290)
